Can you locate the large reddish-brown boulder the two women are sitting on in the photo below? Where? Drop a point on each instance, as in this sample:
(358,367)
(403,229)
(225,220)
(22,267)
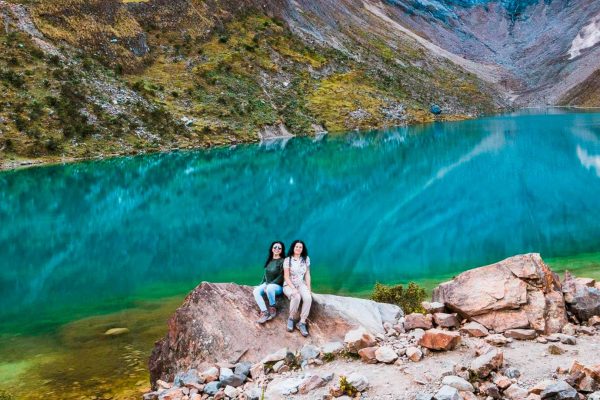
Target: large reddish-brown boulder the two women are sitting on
(217,322)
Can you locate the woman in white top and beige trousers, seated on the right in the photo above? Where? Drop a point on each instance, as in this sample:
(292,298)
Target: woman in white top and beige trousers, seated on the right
(296,286)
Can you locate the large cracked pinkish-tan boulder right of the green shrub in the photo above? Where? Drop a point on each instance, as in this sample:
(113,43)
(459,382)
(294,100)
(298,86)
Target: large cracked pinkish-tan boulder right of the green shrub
(519,292)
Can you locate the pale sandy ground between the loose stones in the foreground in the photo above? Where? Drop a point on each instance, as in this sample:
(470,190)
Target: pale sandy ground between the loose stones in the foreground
(405,381)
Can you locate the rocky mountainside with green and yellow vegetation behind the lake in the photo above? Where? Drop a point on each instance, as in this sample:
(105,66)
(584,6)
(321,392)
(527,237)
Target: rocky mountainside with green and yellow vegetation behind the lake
(86,78)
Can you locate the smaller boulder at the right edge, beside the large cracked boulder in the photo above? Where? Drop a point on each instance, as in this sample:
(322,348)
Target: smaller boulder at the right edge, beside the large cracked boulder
(581,296)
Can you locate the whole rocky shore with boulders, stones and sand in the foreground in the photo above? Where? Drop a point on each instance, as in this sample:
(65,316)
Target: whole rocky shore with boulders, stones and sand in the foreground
(510,330)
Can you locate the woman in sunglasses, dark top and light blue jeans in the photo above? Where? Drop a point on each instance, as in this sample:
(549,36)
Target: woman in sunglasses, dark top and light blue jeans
(272,282)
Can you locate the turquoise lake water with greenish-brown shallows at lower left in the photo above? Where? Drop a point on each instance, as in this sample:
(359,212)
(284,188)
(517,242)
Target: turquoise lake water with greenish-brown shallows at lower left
(118,243)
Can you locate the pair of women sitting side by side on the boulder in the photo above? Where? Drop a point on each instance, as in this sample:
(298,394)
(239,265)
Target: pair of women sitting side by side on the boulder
(290,276)
